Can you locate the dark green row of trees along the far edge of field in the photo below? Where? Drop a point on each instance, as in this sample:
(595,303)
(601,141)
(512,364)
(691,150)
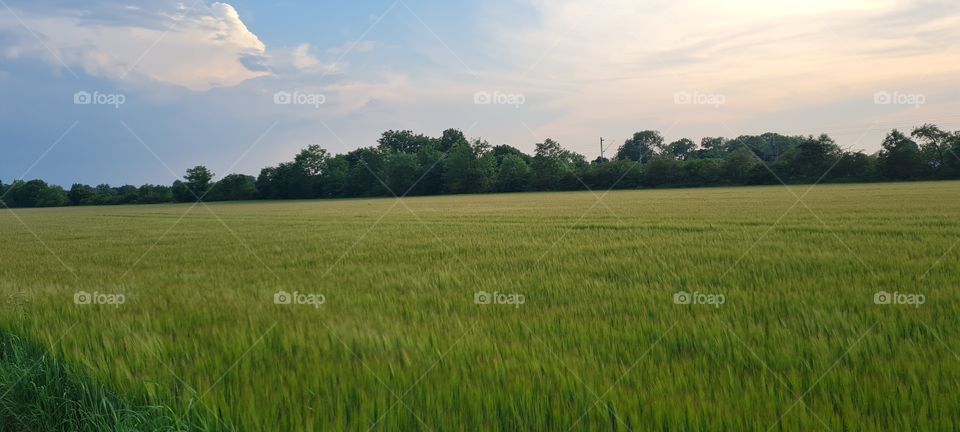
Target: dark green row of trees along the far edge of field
(404,163)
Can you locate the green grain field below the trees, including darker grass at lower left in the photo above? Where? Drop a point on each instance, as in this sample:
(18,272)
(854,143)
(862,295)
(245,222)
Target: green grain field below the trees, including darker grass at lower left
(756,308)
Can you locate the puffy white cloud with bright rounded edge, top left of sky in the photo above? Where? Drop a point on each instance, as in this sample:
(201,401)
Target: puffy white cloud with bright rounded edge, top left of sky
(200,48)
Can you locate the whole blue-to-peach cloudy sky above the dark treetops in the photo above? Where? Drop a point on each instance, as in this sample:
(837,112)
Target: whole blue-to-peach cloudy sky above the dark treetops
(134,92)
